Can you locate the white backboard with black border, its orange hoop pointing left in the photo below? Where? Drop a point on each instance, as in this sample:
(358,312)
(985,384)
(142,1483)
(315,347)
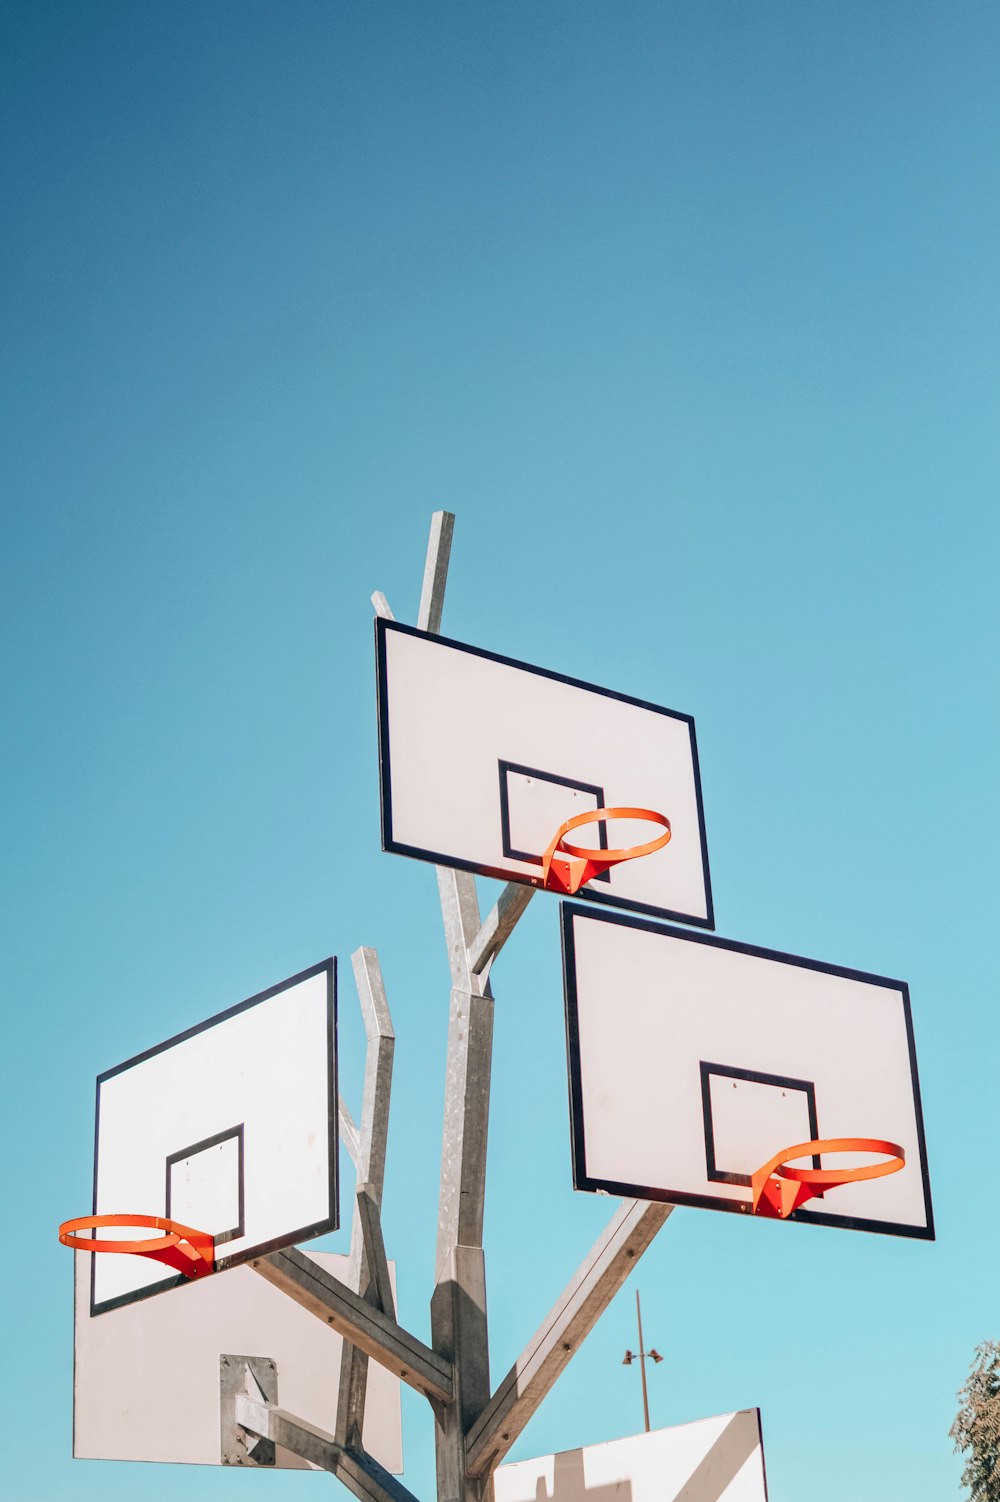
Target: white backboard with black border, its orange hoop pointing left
(229,1129)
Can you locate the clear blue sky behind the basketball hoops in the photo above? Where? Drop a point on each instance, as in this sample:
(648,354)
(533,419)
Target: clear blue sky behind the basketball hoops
(691,315)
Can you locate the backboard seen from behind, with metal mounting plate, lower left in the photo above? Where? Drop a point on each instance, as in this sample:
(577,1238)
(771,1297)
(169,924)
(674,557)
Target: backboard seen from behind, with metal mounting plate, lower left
(146,1377)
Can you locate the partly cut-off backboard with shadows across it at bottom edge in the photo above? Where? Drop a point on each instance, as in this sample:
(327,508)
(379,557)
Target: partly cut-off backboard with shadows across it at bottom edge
(711,1461)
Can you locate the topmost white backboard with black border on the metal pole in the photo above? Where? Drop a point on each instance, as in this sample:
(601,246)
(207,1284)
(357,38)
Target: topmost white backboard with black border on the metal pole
(484,758)
